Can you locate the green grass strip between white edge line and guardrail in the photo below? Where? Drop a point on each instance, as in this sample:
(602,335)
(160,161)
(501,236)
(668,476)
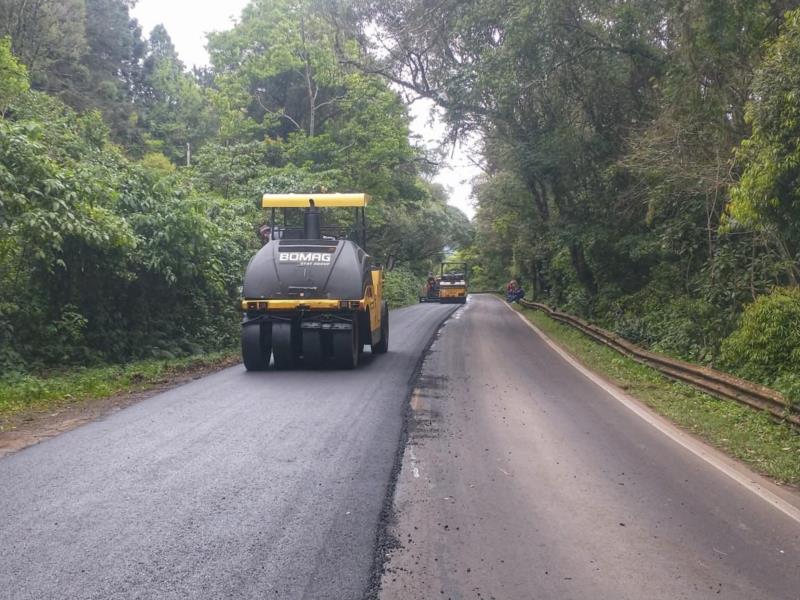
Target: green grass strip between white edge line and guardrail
(768,447)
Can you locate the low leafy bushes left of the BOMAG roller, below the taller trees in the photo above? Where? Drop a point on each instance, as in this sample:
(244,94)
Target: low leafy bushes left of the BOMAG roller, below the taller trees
(103,258)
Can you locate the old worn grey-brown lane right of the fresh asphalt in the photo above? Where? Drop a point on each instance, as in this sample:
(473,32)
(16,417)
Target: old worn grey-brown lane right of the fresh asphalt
(524,480)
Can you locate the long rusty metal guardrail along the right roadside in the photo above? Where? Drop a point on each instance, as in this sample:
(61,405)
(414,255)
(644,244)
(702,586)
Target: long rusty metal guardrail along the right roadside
(709,380)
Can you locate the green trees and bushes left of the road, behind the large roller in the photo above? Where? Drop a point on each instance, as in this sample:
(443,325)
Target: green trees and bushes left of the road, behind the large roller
(129,186)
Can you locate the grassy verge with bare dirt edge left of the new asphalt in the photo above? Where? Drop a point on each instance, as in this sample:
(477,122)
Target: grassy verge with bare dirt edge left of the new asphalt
(25,392)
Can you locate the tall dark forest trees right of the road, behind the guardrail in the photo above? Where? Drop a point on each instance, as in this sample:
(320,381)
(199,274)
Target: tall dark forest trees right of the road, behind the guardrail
(641,158)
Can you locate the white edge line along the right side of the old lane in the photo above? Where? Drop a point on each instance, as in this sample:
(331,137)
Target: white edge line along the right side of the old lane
(740,474)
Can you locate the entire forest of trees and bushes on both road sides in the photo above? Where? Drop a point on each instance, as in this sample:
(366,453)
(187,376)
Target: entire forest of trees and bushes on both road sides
(641,165)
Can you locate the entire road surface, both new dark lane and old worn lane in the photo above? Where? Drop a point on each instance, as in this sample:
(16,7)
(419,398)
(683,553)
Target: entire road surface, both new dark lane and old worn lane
(521,479)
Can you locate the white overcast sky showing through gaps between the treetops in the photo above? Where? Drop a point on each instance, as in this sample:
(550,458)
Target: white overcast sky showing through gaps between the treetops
(188,22)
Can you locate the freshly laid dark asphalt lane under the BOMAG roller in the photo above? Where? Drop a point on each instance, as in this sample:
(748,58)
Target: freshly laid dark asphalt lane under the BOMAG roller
(237,485)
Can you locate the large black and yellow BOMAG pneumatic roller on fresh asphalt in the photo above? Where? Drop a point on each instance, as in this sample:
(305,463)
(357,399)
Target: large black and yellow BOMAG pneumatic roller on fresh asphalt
(311,295)
